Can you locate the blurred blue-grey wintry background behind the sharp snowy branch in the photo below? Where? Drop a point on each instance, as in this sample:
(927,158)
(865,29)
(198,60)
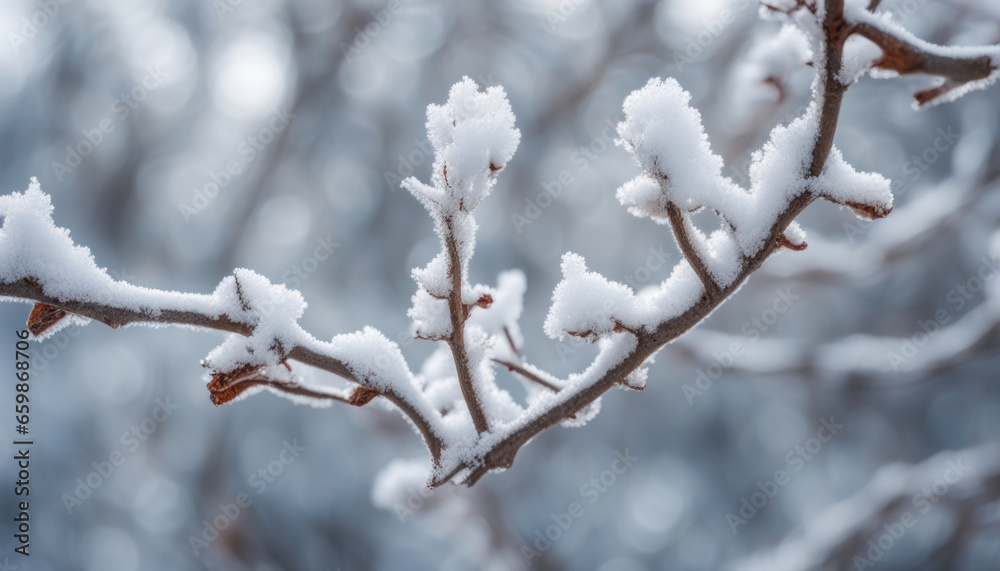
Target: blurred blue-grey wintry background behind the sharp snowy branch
(318,106)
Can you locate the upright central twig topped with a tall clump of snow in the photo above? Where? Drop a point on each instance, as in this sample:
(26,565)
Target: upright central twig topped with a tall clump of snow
(474,137)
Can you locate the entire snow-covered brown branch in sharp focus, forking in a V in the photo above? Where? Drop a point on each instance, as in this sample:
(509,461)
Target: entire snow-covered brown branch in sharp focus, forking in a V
(468,423)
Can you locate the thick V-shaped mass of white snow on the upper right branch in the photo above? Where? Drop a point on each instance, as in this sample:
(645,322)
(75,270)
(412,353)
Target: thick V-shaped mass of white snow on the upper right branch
(666,137)
